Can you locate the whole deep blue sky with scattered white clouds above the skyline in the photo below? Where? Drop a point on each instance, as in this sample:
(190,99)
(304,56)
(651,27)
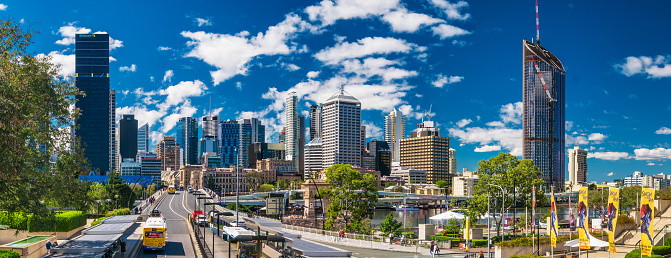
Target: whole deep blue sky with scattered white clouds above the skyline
(461,58)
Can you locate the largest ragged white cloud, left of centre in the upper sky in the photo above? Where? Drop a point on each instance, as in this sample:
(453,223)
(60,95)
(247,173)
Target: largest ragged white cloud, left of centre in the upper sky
(231,54)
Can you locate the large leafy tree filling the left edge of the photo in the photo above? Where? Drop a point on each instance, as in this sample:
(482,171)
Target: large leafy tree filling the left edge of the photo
(35,119)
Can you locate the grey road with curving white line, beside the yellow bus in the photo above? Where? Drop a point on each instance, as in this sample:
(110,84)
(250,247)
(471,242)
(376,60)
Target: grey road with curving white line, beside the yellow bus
(178,240)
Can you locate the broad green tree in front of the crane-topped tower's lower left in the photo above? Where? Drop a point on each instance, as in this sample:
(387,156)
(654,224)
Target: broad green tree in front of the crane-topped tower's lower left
(516,177)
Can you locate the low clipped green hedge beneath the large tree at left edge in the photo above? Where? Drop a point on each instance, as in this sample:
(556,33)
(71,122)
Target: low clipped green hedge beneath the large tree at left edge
(64,221)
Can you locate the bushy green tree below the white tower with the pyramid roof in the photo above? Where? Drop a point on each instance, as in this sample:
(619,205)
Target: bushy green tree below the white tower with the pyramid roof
(353,197)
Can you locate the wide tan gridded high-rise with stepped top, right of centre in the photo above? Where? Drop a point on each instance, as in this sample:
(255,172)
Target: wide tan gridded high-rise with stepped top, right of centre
(427,150)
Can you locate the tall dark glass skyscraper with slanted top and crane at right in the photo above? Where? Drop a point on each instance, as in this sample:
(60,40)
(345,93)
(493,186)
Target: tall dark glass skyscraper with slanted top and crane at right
(544,113)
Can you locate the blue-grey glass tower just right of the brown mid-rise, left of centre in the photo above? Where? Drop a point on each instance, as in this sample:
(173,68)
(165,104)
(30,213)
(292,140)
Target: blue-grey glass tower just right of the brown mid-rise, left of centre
(187,137)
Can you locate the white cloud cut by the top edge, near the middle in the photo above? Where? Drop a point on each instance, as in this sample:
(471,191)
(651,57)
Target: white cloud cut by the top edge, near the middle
(328,12)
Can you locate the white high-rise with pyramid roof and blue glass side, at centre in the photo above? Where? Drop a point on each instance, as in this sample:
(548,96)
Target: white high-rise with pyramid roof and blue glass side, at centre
(341,131)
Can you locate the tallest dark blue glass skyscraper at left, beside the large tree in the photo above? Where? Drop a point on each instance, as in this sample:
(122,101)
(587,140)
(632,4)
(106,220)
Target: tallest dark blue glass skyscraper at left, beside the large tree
(92,78)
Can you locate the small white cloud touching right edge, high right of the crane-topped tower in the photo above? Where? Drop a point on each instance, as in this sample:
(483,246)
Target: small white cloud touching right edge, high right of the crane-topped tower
(653,67)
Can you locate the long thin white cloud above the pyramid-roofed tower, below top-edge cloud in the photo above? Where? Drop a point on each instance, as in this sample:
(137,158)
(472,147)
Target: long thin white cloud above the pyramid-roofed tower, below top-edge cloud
(363,47)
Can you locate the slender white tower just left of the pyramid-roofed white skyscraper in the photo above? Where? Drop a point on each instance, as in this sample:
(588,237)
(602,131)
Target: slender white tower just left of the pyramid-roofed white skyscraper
(293,130)
